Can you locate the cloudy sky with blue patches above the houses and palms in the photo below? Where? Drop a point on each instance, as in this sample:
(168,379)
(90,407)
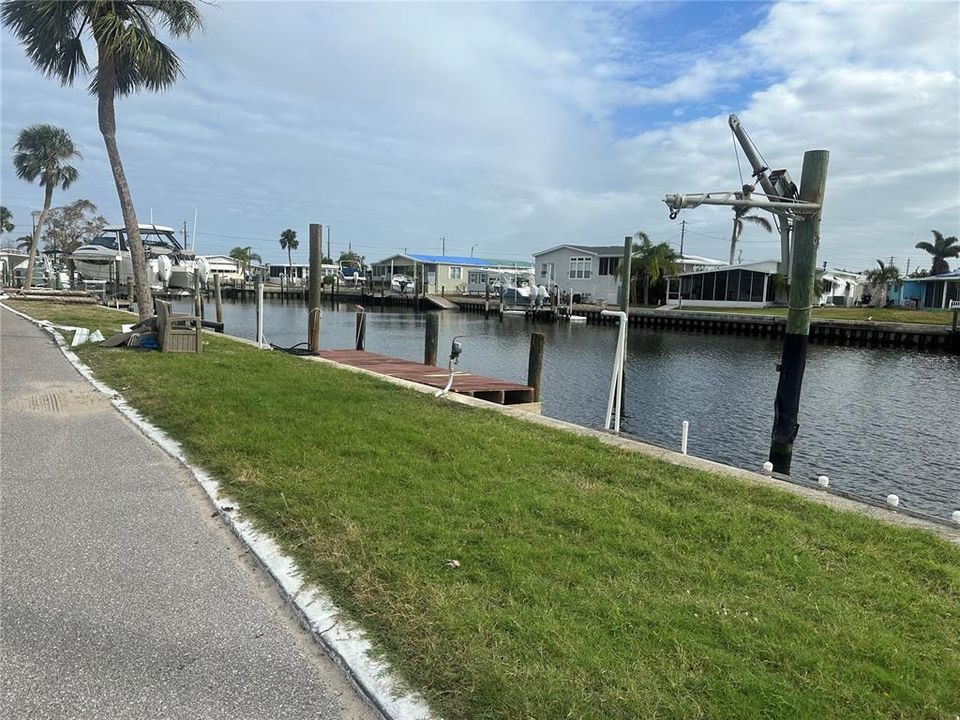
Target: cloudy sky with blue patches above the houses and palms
(510,128)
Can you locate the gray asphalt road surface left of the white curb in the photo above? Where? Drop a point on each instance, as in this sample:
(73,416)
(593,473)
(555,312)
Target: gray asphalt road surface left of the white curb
(120,597)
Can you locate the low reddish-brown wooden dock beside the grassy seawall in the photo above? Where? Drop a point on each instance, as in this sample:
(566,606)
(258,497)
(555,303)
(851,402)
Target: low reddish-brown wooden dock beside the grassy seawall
(492,390)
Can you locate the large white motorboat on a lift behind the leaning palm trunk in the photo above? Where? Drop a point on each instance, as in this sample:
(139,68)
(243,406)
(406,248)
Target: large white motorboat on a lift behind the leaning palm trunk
(168,263)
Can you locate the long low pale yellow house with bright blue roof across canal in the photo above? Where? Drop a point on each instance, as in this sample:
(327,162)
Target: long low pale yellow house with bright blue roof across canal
(445,273)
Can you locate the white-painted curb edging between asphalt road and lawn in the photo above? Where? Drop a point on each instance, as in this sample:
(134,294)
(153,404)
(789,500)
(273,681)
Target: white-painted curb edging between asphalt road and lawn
(343,640)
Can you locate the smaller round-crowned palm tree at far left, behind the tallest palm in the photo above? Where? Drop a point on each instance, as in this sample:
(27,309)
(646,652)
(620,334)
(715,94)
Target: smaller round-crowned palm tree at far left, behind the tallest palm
(41,152)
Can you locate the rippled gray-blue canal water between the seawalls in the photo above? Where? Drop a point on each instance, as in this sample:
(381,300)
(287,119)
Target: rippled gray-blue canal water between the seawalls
(875,421)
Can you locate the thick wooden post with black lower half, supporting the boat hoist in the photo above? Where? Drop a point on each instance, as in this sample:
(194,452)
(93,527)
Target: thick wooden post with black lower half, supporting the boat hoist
(806,240)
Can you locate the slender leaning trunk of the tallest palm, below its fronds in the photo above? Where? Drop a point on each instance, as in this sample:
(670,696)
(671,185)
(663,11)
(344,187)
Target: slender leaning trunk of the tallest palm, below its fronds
(106,116)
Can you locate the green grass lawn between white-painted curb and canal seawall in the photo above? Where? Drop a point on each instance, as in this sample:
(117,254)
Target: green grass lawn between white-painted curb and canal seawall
(593,582)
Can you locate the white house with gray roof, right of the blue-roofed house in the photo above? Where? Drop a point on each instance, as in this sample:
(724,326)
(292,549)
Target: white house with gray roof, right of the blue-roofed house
(586,270)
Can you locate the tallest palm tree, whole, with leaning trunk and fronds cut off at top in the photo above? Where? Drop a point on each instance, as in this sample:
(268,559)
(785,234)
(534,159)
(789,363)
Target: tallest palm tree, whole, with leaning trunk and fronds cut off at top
(129,57)
